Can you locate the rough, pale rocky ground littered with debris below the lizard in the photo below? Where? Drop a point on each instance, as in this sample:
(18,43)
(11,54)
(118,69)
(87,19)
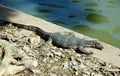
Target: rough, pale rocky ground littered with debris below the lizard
(27,59)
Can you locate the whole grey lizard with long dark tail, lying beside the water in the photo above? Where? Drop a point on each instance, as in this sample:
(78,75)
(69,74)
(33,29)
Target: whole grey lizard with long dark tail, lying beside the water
(64,40)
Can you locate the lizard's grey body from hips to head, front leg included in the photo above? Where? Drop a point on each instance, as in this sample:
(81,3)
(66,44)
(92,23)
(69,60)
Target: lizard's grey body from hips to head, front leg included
(68,40)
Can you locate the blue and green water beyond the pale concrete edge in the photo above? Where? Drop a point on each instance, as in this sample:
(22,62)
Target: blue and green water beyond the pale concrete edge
(95,18)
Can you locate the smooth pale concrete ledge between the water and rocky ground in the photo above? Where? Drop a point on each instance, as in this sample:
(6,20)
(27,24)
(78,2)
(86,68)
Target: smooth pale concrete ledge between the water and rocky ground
(109,54)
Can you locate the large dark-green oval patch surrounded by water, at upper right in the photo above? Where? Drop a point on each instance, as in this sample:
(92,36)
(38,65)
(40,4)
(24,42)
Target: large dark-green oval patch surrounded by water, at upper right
(97,18)
